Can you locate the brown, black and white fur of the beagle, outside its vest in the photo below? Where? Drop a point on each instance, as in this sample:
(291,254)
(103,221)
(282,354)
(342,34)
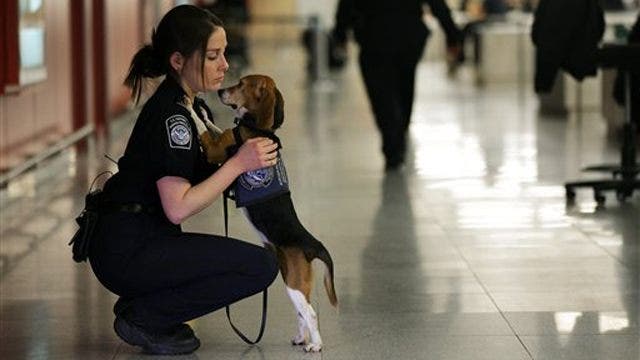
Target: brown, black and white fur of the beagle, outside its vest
(259,106)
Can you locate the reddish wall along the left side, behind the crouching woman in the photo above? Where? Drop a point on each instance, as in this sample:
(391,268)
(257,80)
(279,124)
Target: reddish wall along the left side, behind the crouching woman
(46,109)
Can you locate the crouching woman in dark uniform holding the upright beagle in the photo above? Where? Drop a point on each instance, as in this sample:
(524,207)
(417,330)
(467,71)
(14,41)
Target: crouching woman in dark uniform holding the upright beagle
(164,276)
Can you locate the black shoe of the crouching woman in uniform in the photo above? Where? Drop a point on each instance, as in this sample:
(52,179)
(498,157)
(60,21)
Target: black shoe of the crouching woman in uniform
(181,340)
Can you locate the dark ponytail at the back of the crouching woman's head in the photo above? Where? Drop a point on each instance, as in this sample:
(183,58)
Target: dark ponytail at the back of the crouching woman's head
(145,64)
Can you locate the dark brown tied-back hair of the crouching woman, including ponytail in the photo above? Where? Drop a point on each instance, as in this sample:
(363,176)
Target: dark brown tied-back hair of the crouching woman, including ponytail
(185,29)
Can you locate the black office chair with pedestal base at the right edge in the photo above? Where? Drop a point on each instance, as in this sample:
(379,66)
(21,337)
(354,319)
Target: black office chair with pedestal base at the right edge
(626,58)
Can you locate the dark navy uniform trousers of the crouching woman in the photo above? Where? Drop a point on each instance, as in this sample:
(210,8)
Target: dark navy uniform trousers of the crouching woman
(167,277)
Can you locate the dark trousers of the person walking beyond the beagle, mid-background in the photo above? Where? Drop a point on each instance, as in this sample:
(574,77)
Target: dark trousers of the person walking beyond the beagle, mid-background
(389,79)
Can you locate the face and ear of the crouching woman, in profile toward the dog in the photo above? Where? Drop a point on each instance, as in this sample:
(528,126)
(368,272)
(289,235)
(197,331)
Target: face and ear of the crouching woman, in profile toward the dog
(215,65)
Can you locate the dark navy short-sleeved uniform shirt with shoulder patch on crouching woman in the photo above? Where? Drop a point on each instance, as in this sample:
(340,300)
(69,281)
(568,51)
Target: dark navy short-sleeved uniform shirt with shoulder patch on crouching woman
(164,142)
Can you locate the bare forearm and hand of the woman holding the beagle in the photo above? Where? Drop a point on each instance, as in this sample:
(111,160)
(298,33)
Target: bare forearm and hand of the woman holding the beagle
(180,199)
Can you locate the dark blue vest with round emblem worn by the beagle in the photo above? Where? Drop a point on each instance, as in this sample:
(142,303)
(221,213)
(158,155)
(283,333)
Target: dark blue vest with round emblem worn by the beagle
(263,184)
